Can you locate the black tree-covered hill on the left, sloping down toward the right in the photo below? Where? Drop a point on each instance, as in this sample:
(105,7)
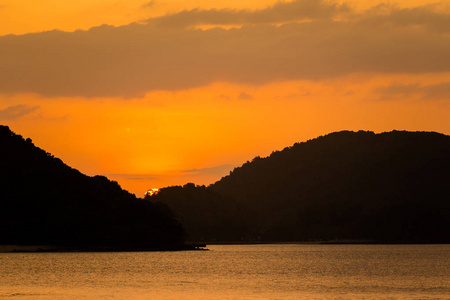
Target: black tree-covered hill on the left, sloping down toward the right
(45,202)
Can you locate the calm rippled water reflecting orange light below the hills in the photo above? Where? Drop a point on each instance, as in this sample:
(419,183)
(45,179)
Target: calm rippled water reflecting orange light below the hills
(233,272)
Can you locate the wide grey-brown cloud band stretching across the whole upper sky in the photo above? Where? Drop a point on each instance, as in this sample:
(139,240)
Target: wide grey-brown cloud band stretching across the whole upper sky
(168,54)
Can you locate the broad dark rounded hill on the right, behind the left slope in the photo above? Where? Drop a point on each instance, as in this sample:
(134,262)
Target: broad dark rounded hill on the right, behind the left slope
(388,187)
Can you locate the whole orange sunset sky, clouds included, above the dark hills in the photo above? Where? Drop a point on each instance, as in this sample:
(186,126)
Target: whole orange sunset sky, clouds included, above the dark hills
(176,98)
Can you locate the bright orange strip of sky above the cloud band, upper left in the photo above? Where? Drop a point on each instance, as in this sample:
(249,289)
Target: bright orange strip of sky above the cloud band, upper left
(25,16)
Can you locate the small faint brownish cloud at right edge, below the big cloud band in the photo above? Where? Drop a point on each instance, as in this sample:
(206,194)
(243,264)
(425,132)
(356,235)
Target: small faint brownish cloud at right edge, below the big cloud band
(439,91)
